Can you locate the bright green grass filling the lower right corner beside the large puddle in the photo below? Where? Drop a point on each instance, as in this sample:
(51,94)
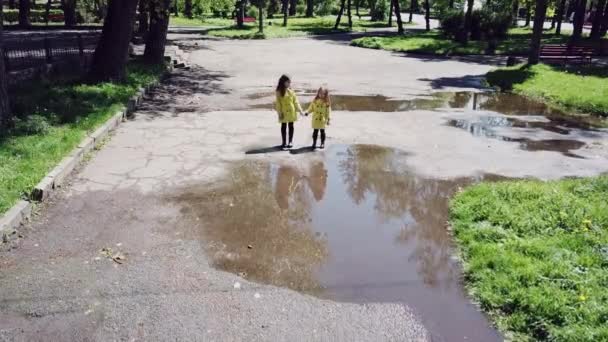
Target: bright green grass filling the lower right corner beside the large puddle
(536,256)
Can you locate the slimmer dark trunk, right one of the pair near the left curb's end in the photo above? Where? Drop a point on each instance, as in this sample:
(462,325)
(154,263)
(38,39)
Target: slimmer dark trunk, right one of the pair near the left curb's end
(156,39)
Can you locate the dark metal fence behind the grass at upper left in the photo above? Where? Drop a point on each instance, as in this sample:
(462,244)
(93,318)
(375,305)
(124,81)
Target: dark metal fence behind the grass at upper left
(35,52)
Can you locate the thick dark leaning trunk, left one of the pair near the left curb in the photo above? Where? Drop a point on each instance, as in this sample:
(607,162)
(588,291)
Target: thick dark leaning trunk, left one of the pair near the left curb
(112,52)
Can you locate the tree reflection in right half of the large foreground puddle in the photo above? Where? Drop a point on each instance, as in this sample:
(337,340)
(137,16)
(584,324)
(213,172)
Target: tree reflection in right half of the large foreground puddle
(372,171)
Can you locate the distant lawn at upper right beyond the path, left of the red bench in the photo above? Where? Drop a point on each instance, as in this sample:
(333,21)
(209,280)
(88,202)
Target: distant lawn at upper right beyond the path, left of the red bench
(433,42)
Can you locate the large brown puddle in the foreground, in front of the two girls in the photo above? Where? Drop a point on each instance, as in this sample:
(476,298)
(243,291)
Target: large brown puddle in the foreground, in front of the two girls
(350,224)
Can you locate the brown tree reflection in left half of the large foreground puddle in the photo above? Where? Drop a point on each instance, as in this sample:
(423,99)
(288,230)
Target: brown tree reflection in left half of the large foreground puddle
(245,212)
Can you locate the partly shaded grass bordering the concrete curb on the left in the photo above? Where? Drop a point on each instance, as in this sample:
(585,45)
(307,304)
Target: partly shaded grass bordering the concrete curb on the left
(53,119)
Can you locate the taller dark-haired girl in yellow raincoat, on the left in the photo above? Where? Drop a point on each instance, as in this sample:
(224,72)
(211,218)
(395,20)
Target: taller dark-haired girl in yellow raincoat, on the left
(286,106)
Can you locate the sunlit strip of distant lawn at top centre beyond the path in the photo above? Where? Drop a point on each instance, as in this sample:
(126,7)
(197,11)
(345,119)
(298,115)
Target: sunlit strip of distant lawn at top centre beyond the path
(297,26)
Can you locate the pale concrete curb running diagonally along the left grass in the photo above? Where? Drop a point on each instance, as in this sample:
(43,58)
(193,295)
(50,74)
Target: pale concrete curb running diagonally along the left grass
(20,213)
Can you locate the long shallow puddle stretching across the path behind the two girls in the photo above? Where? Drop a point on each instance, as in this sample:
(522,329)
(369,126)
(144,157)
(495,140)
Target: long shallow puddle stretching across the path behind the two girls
(505,116)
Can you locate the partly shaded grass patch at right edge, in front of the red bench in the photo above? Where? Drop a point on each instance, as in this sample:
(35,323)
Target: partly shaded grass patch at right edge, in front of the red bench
(583,89)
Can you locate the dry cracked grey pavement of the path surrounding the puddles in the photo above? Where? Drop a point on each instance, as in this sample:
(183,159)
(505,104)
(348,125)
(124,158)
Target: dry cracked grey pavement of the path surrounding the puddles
(57,285)
